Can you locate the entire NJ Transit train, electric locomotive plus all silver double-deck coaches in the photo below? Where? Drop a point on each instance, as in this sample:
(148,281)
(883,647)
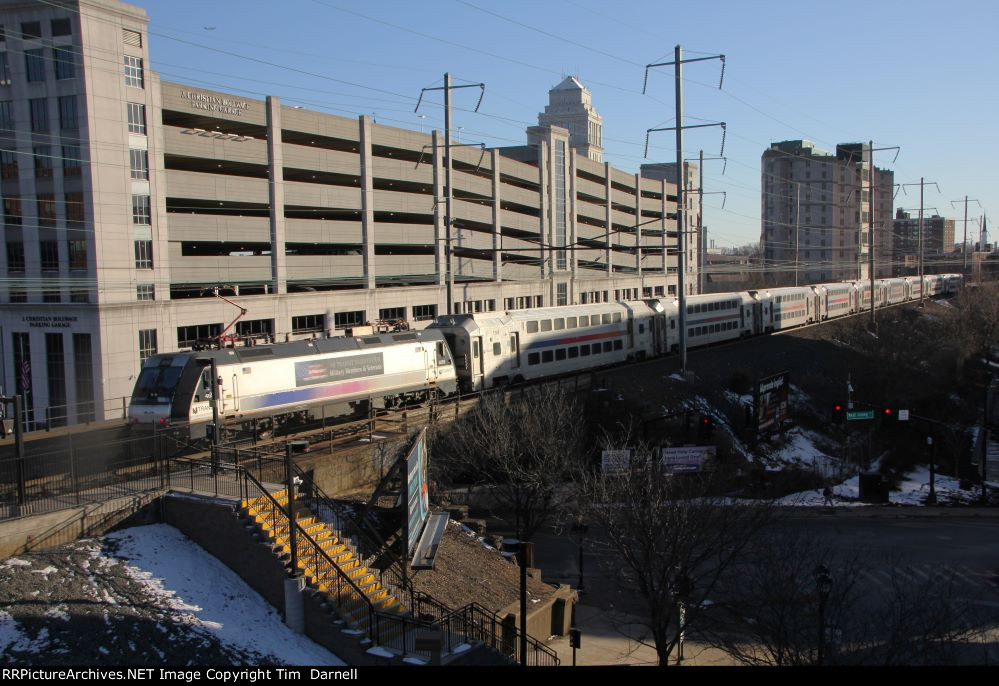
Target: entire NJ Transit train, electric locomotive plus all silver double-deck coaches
(261,388)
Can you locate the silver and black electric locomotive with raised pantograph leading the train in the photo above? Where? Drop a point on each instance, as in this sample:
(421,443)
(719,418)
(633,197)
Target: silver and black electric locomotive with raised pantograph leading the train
(268,385)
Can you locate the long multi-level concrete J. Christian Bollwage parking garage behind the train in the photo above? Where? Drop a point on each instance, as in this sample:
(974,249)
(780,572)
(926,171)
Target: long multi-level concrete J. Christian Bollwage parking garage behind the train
(129,202)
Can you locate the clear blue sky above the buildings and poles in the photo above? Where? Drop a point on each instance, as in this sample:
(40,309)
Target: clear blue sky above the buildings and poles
(917,74)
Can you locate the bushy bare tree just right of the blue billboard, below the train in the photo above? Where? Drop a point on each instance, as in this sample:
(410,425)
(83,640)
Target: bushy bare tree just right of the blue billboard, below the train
(523,451)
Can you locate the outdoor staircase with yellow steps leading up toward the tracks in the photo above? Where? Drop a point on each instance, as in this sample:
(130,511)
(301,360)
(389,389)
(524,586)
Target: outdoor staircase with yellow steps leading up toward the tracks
(327,562)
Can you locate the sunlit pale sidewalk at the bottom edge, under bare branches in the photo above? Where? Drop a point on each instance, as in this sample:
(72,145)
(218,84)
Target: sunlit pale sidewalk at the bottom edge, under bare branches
(604,643)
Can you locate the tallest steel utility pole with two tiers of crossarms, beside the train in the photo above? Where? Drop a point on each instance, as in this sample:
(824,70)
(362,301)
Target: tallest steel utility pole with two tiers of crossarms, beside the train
(681,180)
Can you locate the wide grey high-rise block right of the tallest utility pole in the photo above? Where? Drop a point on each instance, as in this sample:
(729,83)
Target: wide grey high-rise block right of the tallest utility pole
(815,211)
